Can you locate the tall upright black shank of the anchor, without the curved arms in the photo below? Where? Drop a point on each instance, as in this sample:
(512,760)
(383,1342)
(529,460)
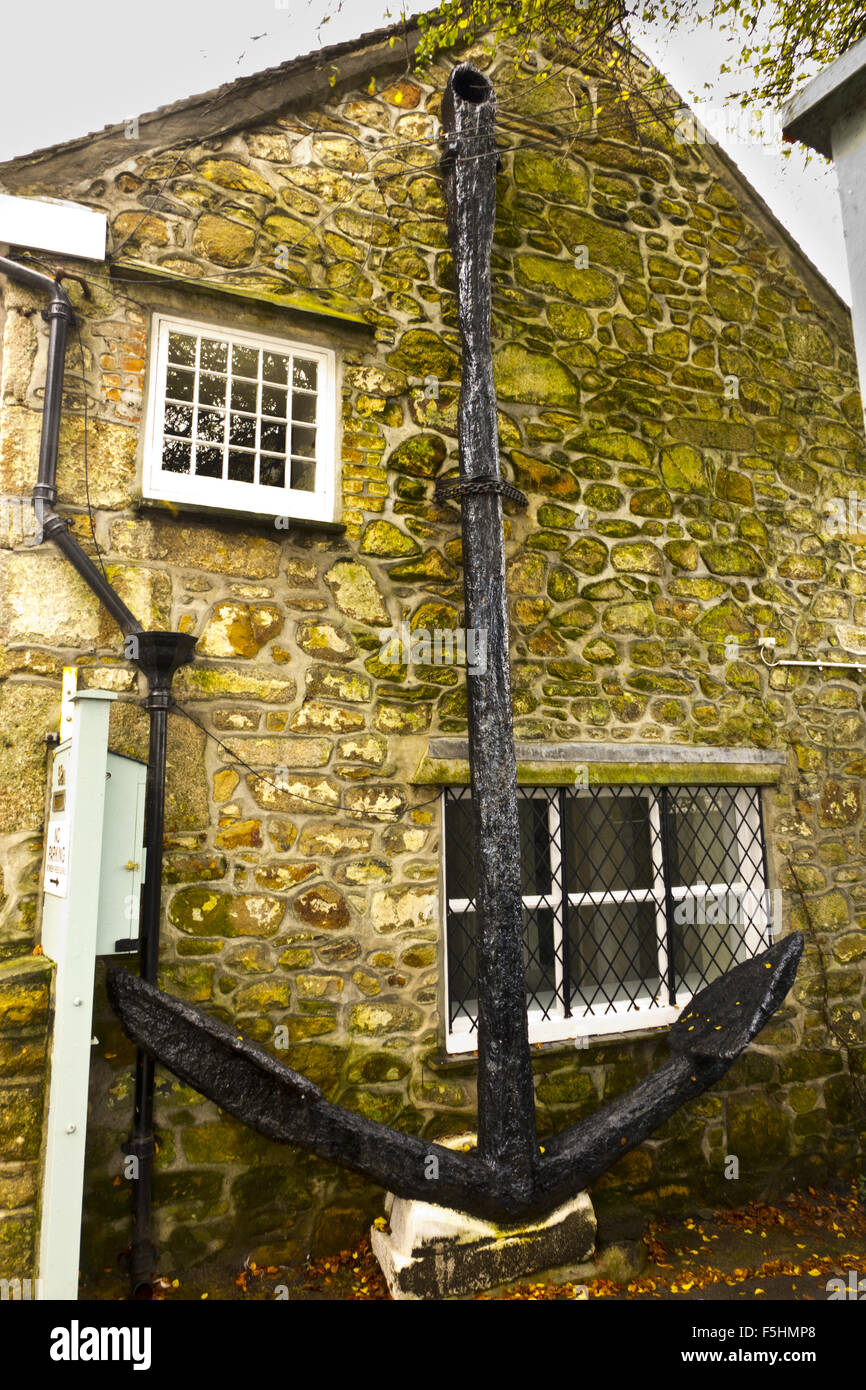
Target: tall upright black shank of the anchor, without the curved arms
(507,1110)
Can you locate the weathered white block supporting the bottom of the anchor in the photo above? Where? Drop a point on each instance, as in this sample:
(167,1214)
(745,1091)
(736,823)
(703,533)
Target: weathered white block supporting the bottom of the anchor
(436,1253)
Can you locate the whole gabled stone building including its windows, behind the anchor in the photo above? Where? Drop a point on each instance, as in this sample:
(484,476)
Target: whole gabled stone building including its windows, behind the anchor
(270,369)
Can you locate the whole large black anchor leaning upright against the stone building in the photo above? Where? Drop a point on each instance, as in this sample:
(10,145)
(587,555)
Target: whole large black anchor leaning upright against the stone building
(507,1178)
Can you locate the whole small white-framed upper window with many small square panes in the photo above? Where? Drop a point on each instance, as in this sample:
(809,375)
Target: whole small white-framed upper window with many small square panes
(241,422)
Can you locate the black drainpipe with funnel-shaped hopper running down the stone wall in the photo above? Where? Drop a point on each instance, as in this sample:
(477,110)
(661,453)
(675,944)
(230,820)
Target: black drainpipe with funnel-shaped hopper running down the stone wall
(158,655)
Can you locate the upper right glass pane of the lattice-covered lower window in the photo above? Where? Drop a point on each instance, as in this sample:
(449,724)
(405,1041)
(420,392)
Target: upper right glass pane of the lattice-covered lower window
(704,842)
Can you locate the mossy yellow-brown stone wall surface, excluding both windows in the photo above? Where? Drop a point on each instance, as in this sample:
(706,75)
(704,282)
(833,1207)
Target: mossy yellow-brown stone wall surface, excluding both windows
(668,512)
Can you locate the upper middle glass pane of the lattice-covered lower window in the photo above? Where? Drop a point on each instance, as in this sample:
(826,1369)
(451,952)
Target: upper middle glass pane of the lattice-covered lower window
(610,843)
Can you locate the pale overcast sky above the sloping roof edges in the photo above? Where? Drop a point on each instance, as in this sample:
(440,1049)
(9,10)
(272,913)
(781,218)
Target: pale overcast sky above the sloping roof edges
(106,62)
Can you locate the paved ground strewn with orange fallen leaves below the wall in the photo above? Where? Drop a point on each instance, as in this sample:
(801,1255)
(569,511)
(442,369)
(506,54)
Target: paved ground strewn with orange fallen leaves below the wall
(760,1253)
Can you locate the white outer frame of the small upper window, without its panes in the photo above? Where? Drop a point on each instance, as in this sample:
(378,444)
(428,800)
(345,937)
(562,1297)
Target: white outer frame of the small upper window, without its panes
(224,494)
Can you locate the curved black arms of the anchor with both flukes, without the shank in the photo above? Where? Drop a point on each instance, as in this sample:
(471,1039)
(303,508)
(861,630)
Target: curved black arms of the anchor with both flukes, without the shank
(270,1097)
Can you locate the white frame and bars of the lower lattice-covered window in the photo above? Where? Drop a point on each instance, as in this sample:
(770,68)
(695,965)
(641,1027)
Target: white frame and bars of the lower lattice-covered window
(603,1020)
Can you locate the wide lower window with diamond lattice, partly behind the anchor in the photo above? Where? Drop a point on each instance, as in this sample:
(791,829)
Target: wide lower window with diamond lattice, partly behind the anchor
(633,900)
